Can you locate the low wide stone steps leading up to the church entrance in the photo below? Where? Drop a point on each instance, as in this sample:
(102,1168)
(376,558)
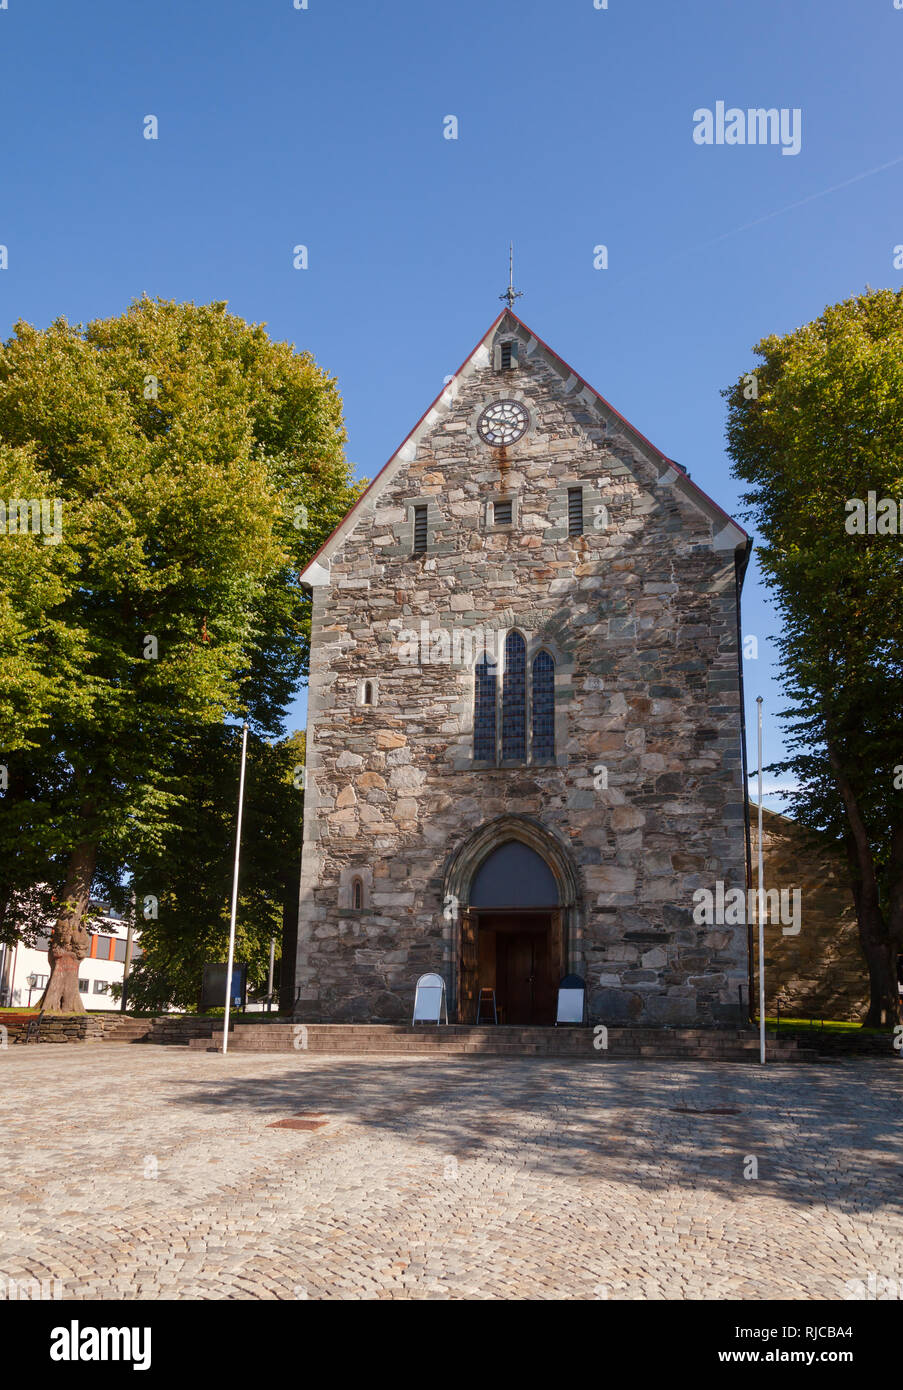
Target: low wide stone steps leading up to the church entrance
(472,1040)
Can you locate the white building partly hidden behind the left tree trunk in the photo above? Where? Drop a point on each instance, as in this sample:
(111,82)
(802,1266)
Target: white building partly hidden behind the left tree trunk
(24,971)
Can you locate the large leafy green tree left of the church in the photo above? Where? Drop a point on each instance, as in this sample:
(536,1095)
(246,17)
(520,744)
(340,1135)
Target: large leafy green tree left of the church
(198,466)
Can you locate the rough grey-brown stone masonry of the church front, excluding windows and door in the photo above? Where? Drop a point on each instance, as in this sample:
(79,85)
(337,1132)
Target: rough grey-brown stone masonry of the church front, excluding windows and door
(645,792)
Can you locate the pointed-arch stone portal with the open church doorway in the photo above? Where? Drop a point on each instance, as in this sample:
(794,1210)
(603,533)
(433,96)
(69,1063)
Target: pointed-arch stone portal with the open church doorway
(513,919)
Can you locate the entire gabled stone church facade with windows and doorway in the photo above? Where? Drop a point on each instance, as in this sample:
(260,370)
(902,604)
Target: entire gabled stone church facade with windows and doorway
(526,719)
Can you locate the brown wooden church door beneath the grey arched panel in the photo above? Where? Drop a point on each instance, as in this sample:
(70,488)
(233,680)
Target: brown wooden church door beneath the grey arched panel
(516,954)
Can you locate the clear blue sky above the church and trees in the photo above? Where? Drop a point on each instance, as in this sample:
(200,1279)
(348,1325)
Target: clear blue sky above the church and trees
(324,127)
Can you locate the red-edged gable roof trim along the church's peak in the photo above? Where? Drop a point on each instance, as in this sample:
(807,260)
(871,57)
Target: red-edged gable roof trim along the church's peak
(729,534)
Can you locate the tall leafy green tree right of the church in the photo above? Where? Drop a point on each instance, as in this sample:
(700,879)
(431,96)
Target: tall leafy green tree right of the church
(815,429)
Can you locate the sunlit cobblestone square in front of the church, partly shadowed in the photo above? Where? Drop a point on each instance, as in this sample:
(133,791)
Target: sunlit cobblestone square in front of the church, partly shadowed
(148,1172)
